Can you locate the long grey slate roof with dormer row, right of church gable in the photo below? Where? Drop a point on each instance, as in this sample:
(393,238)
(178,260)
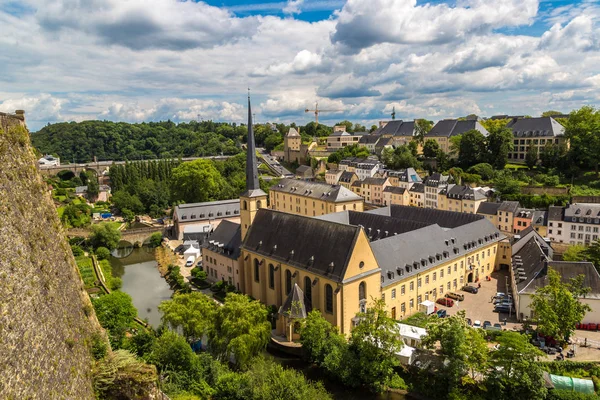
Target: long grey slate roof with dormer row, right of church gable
(405,255)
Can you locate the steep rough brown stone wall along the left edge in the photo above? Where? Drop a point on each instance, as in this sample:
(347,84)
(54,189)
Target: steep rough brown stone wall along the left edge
(46,319)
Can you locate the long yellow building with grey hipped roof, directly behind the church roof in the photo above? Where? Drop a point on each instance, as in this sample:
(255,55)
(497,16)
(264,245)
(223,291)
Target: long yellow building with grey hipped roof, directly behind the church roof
(312,198)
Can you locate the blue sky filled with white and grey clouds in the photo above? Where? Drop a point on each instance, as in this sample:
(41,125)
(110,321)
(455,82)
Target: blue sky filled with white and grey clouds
(151,60)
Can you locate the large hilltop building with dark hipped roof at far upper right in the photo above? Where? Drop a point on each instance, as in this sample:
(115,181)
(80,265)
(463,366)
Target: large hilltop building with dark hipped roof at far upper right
(537,133)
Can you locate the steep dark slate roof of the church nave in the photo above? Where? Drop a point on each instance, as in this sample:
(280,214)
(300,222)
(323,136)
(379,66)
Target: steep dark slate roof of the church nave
(319,246)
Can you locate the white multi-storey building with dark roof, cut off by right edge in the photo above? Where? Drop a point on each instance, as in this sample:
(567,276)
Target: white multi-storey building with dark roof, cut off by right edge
(577,223)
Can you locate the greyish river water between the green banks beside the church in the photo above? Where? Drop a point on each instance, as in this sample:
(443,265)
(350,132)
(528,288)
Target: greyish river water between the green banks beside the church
(142,281)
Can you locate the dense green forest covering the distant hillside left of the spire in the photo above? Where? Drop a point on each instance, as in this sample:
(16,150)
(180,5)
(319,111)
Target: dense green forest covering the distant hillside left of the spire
(106,140)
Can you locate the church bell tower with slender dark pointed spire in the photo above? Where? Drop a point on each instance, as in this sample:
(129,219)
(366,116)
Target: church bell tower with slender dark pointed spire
(253,198)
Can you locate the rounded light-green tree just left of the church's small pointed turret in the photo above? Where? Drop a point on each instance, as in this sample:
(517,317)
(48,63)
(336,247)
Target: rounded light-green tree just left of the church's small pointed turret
(240,329)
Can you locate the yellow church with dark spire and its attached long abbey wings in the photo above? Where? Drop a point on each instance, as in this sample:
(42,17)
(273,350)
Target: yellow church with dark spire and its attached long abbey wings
(338,262)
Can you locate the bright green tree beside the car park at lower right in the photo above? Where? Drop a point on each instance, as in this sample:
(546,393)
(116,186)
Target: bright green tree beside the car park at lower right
(557,306)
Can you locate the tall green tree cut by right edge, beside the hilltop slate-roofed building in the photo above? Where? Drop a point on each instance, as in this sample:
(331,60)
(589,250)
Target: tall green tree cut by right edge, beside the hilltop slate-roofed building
(583,131)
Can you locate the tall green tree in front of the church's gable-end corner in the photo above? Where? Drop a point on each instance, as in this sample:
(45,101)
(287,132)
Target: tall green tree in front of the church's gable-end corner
(374,342)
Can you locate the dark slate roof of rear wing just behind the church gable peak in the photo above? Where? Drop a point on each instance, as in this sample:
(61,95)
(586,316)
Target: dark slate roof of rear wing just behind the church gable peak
(376,226)
